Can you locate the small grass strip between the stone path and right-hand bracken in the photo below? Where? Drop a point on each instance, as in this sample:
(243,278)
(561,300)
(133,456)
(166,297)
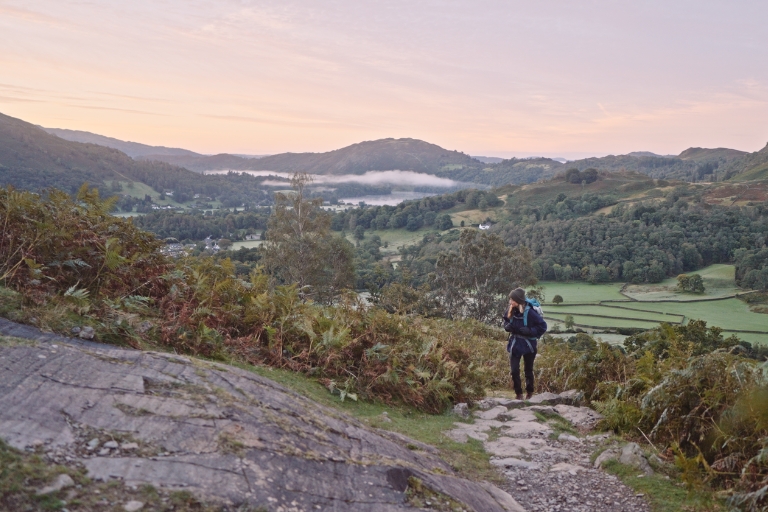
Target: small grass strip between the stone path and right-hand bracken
(664,494)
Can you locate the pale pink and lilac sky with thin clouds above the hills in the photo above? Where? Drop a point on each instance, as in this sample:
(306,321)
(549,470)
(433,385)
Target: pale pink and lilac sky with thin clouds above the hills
(497,78)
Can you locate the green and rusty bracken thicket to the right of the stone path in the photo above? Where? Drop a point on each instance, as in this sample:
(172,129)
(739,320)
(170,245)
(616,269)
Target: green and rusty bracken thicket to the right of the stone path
(684,387)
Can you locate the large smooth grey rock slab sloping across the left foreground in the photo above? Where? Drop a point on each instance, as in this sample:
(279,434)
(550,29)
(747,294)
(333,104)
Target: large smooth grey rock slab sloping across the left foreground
(226,435)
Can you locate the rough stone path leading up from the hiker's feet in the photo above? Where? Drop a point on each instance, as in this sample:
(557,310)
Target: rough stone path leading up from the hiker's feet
(549,469)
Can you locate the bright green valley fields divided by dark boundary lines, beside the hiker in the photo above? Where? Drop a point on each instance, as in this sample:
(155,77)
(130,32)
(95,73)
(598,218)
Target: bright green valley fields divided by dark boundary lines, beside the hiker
(729,314)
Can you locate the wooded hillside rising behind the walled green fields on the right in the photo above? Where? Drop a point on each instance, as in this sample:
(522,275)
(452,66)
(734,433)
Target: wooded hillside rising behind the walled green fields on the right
(620,227)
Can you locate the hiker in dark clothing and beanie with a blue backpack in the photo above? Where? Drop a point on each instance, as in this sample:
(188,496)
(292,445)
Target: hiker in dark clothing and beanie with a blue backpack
(525,324)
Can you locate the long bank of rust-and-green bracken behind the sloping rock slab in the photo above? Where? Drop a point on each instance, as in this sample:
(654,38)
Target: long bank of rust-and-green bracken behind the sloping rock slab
(56,249)
